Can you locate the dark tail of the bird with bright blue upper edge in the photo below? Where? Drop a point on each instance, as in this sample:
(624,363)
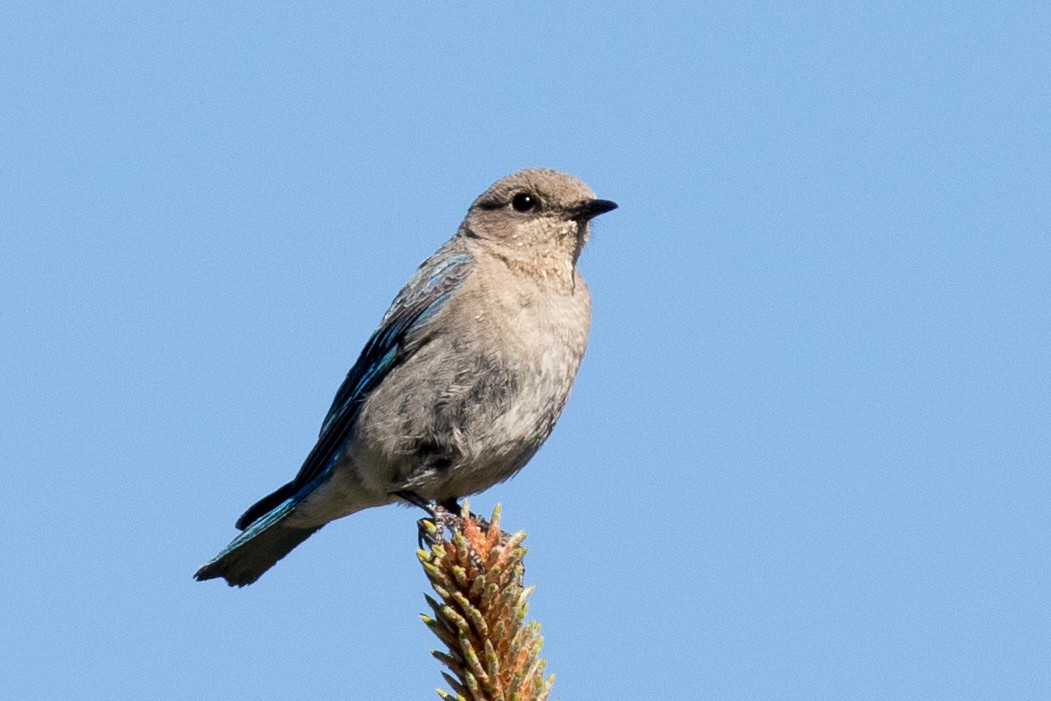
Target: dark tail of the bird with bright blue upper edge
(265,542)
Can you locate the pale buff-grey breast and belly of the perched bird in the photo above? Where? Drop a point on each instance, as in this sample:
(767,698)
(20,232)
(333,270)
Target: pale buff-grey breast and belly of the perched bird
(481,394)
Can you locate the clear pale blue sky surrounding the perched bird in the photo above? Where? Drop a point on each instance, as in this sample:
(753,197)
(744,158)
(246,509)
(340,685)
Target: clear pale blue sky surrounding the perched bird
(808,456)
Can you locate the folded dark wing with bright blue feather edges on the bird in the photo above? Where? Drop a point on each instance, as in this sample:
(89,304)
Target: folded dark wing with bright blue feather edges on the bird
(419,301)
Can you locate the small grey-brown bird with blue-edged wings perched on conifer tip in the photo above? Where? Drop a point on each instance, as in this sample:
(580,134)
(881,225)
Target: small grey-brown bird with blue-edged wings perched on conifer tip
(461,384)
